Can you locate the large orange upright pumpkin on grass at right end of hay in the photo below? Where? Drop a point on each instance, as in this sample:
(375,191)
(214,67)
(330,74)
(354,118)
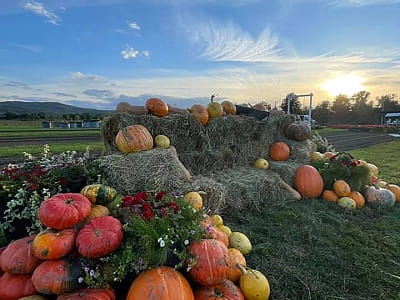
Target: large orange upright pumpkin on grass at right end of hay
(308,181)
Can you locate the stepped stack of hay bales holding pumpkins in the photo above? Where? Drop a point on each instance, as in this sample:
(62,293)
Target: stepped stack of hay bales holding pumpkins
(219,156)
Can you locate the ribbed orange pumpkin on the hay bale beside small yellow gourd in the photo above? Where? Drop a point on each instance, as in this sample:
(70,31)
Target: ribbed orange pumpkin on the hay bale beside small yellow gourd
(133,138)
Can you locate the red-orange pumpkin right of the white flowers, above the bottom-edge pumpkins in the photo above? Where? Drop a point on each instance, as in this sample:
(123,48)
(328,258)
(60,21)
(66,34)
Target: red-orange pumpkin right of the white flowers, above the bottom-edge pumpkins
(211,258)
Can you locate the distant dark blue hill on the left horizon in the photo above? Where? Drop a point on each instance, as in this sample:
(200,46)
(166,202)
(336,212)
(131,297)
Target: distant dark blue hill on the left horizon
(49,108)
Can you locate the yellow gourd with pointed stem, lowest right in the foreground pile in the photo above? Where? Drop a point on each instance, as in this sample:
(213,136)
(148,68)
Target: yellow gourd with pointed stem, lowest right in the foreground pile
(253,284)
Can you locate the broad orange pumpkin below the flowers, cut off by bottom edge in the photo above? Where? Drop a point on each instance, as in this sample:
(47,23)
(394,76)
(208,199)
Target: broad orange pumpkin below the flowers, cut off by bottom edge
(161,283)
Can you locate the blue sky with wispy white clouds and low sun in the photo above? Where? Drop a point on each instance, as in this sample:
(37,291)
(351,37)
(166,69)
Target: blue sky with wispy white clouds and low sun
(97,53)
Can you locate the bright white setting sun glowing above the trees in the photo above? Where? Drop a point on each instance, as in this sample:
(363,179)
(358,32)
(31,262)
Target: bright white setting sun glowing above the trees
(346,85)
